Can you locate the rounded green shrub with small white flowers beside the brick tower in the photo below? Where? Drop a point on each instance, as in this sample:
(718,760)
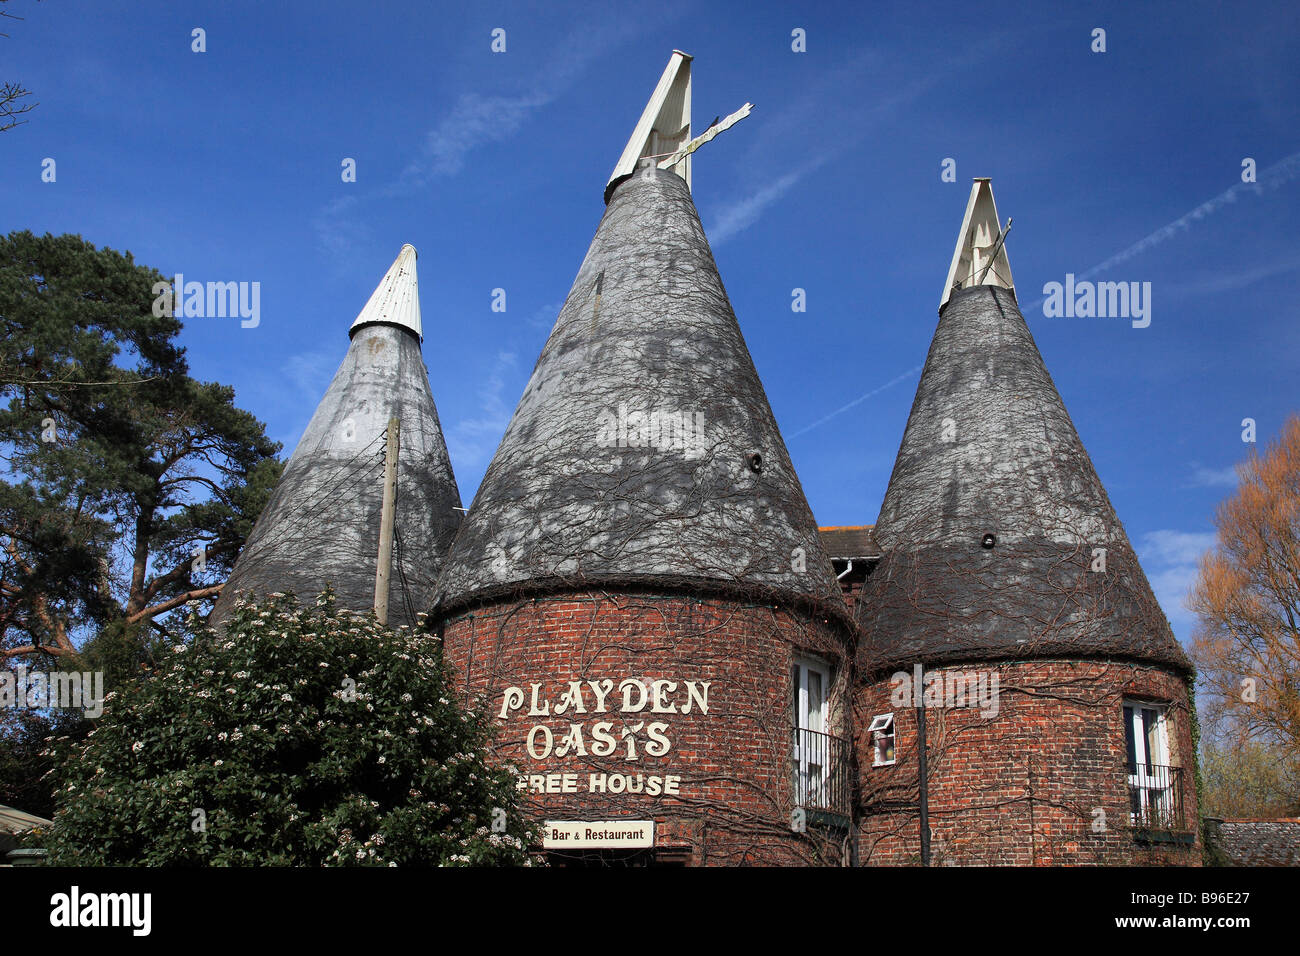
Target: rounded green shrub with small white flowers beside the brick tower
(301,737)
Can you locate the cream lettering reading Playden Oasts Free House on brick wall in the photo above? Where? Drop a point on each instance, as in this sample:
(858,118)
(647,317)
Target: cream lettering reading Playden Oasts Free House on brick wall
(627,739)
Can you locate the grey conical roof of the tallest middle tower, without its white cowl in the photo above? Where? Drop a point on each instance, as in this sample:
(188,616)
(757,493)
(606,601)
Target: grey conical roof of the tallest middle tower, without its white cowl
(644,449)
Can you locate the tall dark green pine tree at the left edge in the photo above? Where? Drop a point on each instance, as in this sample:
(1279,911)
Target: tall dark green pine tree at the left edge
(129,487)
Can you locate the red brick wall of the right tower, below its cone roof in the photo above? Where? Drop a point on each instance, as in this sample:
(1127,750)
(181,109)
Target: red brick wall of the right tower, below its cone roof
(1026,786)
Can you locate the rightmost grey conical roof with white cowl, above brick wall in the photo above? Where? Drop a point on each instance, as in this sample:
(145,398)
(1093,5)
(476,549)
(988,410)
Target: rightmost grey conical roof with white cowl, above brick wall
(995,518)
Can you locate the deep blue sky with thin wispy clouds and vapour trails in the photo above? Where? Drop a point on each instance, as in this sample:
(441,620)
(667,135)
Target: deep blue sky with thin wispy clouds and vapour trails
(226,166)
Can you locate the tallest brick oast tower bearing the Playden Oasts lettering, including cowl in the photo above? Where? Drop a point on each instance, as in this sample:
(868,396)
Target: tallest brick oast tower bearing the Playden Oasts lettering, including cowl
(639,592)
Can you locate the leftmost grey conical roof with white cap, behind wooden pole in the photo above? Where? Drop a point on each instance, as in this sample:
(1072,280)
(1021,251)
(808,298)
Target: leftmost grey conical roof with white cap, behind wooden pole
(322,525)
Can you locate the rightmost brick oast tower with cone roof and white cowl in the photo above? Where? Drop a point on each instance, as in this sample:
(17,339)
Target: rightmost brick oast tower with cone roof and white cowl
(1011,616)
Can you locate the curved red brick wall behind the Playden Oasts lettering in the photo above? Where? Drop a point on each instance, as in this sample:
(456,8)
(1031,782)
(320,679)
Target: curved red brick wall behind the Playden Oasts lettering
(734,764)
